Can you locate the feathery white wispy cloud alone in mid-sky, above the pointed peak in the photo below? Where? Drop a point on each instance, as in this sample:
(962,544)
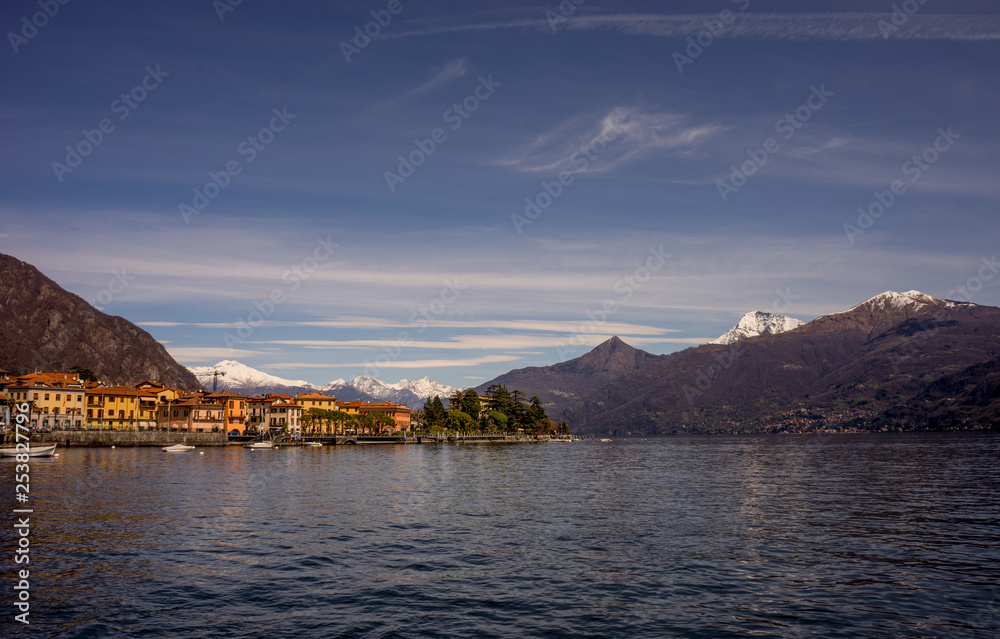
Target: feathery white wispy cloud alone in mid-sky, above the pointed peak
(600,144)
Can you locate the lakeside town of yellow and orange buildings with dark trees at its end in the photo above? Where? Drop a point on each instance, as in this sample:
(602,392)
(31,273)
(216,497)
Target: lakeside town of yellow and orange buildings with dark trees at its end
(78,401)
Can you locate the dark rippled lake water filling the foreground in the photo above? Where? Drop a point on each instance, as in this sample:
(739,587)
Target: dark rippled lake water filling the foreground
(865,535)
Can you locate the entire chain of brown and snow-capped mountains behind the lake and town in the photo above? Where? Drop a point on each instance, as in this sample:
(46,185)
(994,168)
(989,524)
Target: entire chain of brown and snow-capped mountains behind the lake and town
(895,361)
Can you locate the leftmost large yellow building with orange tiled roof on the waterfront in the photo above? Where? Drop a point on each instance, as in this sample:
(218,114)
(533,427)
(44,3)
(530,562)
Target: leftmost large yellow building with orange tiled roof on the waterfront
(57,399)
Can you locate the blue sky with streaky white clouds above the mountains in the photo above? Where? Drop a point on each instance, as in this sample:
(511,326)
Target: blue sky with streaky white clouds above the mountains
(573,179)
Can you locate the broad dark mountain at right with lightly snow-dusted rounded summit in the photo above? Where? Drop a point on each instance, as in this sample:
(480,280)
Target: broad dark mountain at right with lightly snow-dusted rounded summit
(889,362)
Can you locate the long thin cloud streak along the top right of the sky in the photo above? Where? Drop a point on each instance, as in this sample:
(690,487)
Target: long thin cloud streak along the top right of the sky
(795,27)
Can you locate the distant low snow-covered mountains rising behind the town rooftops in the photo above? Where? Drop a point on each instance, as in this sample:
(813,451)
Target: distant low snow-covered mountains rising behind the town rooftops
(240,378)
